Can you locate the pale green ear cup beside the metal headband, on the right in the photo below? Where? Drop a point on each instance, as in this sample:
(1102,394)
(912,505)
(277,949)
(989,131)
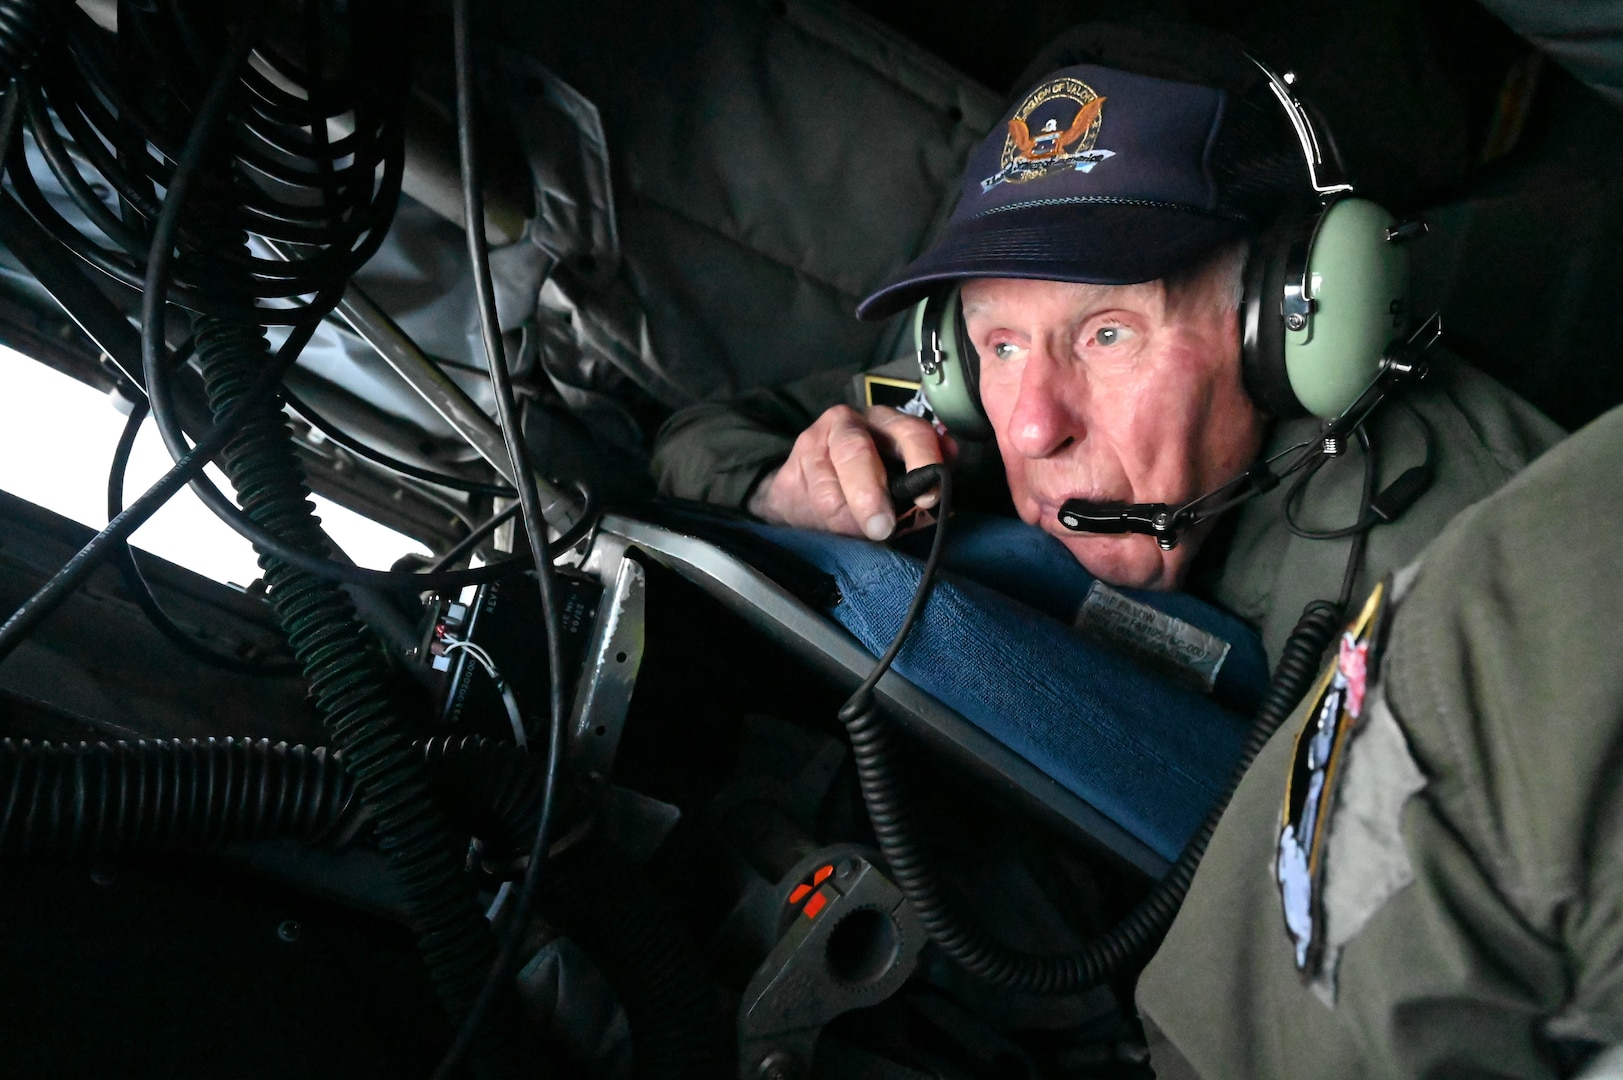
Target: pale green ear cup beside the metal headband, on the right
(1353,311)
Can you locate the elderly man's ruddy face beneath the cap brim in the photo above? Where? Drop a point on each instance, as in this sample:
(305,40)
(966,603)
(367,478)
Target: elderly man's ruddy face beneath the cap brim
(1113,394)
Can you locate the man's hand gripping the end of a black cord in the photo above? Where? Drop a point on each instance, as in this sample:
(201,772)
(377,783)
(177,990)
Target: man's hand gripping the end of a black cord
(835,477)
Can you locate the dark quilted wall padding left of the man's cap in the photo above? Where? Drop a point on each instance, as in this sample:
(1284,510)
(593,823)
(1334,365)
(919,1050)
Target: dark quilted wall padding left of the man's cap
(772,165)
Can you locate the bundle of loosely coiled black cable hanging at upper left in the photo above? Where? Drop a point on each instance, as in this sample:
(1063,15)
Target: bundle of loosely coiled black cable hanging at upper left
(330,199)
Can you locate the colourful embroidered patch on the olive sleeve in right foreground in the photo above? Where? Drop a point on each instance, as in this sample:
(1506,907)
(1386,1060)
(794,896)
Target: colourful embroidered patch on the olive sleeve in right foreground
(1315,766)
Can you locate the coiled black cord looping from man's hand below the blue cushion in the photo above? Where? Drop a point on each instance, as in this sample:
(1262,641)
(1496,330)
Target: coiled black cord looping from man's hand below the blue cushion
(963,941)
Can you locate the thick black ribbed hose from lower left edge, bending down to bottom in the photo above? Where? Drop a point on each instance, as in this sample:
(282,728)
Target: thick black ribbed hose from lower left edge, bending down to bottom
(90,801)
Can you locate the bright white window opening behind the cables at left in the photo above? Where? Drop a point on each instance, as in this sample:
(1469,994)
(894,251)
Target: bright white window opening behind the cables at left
(58,438)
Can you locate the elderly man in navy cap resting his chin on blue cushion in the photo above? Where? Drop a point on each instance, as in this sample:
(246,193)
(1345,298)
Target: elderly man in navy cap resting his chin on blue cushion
(1101,285)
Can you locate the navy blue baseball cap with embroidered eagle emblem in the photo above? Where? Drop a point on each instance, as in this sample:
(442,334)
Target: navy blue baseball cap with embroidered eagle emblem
(1096,176)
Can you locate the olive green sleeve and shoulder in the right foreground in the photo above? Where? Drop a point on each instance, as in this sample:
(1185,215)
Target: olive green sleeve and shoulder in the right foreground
(1505,956)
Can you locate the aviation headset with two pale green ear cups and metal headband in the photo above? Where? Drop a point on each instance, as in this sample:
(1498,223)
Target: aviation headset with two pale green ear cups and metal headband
(1325,301)
